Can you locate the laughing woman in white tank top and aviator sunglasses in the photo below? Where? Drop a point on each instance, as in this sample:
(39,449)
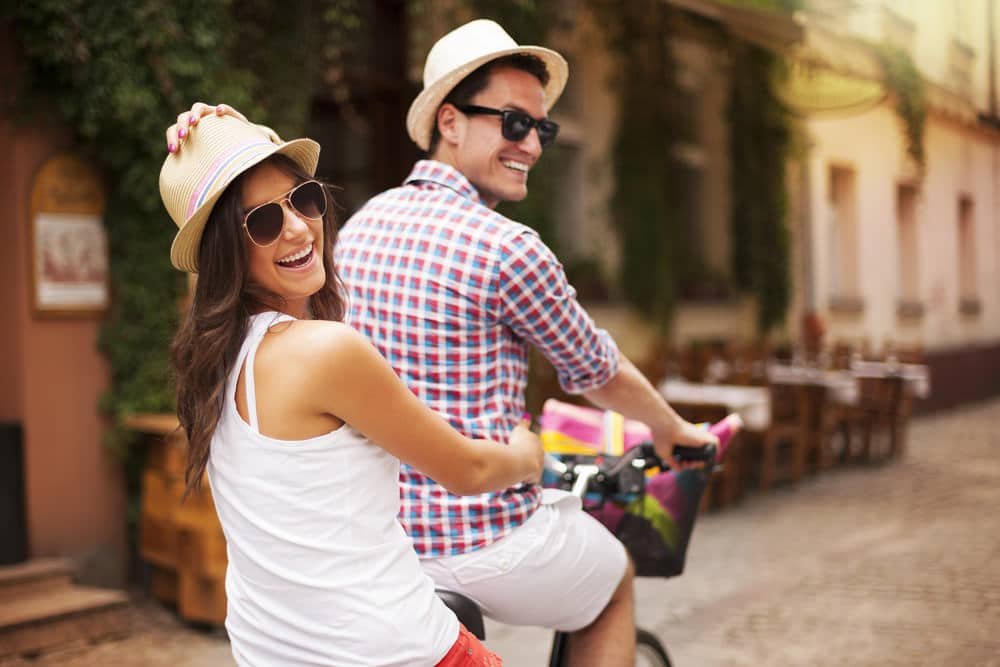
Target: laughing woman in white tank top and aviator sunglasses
(300,424)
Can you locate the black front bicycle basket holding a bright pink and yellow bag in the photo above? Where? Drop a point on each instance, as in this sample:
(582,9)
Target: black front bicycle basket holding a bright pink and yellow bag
(655,526)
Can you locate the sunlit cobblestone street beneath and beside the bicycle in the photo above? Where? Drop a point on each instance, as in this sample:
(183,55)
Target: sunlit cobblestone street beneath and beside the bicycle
(895,564)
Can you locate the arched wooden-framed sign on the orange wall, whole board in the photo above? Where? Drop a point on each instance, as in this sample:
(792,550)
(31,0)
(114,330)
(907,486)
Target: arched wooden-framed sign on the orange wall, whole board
(69,243)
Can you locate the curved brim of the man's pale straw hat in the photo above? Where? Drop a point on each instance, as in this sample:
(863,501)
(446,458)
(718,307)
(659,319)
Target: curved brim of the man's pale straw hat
(422,115)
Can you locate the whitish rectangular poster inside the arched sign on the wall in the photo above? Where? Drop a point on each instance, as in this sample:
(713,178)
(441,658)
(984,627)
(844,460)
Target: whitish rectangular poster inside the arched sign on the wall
(71,263)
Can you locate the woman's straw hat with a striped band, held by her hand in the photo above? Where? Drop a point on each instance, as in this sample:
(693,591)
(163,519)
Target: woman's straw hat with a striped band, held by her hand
(219,149)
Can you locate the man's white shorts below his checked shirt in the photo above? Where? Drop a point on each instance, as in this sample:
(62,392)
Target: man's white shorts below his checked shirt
(557,570)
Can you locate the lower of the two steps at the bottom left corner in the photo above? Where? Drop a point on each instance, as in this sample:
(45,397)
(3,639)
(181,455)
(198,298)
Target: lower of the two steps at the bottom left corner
(41,620)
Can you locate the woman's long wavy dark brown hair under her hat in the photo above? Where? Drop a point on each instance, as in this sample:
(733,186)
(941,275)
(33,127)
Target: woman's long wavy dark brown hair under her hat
(211,333)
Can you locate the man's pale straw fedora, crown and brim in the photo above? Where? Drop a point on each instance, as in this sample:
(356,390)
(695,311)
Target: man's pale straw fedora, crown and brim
(457,55)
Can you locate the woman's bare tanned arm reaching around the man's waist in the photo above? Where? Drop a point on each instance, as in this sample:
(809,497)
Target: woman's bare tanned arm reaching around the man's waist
(355,383)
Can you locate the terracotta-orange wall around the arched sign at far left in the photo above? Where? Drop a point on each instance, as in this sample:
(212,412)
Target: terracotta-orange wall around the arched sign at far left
(52,377)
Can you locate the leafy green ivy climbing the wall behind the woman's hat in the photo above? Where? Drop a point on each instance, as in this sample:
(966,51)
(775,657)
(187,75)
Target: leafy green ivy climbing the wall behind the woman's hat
(117,73)
